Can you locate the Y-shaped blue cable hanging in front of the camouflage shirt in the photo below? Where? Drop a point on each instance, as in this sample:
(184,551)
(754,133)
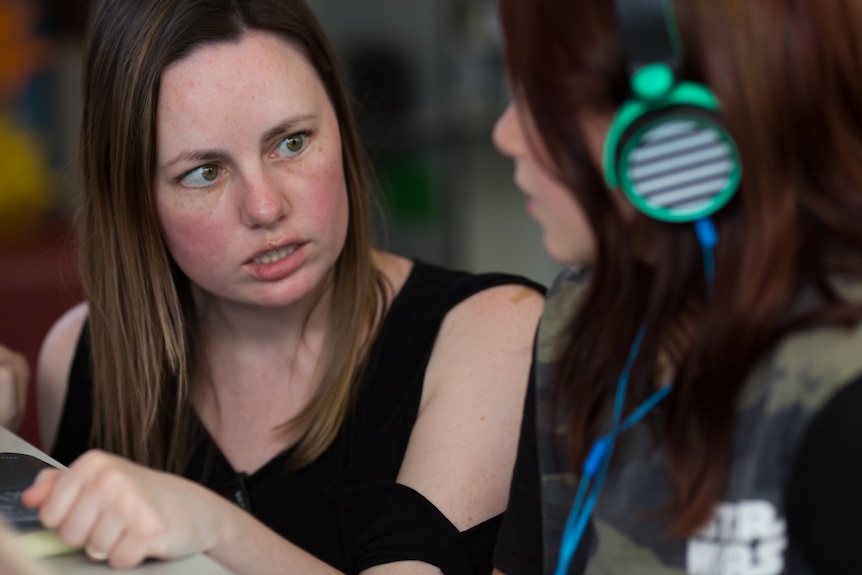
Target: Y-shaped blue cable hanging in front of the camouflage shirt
(595,465)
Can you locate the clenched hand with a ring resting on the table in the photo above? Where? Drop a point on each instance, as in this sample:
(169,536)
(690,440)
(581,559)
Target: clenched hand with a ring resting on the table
(126,513)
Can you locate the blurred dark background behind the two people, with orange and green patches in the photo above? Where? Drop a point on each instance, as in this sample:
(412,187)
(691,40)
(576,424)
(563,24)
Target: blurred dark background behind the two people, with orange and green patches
(428,80)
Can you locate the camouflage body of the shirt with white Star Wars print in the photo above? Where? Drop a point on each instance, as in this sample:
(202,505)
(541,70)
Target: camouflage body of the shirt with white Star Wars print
(748,533)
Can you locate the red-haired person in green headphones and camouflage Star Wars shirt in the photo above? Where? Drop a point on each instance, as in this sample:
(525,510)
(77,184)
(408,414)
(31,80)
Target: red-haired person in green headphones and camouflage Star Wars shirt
(697,380)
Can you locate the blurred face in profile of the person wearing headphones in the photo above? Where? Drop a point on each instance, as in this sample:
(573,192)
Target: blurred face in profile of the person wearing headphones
(567,236)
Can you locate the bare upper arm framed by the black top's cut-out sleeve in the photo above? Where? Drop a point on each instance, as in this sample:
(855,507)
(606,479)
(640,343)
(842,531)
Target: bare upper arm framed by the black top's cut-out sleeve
(462,449)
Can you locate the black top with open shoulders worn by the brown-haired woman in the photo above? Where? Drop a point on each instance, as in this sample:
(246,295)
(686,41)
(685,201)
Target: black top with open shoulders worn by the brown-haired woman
(345,508)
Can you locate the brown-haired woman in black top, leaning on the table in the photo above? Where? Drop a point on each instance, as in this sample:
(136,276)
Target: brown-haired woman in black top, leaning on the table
(250,377)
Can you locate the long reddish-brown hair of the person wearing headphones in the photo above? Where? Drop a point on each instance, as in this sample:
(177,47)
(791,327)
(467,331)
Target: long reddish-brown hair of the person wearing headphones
(787,75)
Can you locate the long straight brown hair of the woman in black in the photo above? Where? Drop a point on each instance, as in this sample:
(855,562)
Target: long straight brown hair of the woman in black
(141,309)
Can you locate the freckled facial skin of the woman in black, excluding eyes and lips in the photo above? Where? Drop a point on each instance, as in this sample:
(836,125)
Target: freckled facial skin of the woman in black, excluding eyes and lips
(228,102)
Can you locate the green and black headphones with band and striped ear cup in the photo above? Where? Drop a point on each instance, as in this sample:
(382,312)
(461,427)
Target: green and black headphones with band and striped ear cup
(666,148)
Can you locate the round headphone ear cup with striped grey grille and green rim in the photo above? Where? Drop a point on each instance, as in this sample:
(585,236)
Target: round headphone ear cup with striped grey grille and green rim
(677,164)
